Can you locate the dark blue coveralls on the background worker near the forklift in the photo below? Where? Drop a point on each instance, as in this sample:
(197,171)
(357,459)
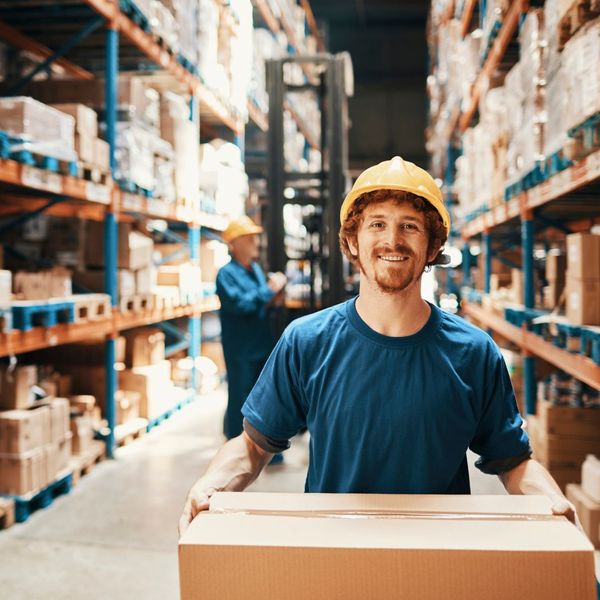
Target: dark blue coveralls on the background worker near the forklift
(245,333)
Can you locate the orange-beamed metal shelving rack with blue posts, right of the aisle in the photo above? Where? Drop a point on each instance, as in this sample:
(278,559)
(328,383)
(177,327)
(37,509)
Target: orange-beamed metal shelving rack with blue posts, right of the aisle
(567,195)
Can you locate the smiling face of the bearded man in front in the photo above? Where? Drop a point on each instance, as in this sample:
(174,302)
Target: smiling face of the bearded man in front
(391,245)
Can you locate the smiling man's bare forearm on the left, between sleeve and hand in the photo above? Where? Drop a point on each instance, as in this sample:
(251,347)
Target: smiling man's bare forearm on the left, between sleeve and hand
(236,465)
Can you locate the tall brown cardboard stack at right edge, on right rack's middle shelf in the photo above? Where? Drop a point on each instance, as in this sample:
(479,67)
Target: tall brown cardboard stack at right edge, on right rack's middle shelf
(583,279)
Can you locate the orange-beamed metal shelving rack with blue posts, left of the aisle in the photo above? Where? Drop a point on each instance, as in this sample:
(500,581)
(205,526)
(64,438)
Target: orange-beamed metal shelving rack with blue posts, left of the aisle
(35,190)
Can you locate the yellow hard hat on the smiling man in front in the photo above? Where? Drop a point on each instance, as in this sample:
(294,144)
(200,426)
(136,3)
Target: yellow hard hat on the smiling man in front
(397,174)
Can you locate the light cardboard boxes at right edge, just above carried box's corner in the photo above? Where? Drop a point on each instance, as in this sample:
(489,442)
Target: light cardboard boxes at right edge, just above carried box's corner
(586,498)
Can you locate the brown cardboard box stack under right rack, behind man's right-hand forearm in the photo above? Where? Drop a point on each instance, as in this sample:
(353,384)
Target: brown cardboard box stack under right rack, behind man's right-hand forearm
(562,436)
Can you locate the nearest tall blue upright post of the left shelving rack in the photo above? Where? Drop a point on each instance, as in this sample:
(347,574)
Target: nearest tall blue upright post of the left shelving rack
(110,230)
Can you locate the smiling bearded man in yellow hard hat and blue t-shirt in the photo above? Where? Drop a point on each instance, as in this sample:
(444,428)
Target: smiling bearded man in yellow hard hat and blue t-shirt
(392,390)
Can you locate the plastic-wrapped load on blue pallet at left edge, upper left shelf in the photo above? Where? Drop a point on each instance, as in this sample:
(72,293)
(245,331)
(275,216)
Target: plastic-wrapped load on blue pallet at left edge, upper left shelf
(41,129)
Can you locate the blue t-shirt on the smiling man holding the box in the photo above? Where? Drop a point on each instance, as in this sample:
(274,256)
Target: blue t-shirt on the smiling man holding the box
(388,414)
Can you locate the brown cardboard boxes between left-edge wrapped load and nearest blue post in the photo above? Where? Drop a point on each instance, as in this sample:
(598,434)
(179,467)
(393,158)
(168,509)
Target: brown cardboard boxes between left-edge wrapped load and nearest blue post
(91,150)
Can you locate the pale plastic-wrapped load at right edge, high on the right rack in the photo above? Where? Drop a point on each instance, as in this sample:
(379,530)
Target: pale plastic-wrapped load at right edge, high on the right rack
(581,59)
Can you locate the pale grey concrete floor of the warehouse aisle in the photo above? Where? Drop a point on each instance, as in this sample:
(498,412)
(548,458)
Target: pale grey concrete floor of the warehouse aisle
(115,535)
